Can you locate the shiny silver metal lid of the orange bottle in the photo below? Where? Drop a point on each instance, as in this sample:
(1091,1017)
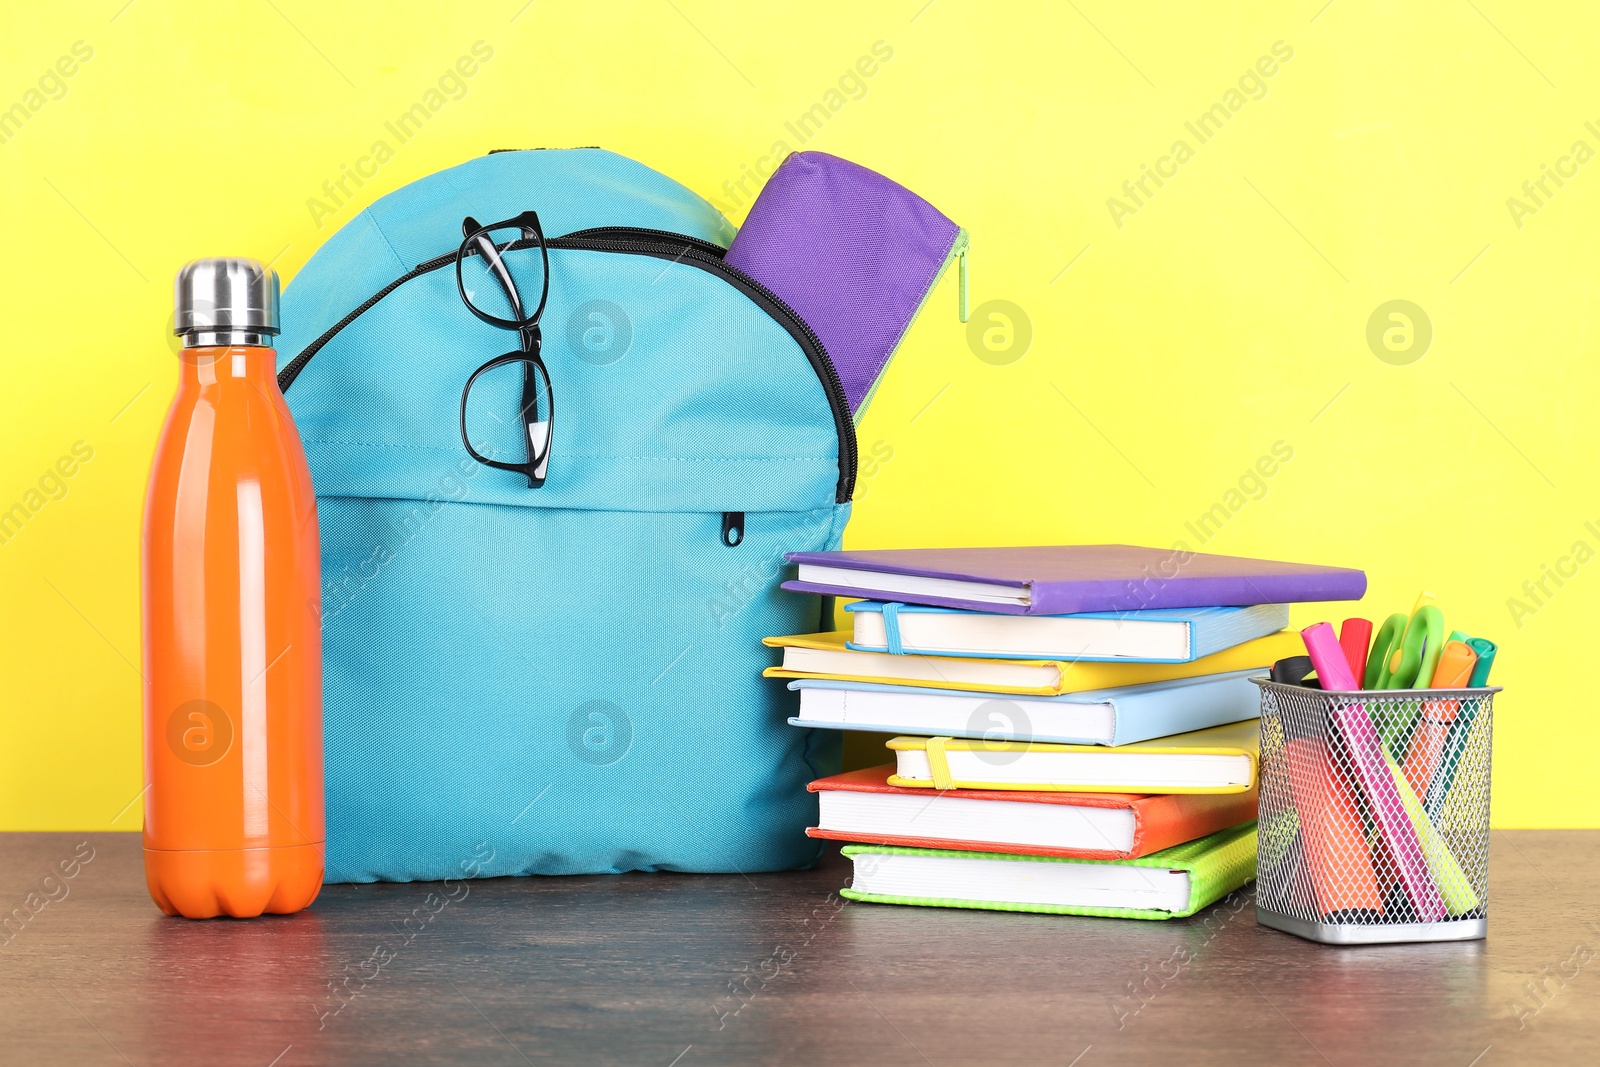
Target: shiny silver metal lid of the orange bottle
(226,300)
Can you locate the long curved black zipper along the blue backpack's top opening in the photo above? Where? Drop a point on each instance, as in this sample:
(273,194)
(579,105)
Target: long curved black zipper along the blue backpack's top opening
(662,246)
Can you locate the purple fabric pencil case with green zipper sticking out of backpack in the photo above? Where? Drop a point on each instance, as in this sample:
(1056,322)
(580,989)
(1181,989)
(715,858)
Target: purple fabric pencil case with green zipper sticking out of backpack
(854,254)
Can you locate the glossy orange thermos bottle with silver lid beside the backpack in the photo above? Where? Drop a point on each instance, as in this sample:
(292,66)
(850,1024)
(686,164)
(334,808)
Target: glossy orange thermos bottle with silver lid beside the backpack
(233,641)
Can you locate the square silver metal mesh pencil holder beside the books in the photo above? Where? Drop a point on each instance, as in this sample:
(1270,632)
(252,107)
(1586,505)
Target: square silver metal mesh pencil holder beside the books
(1375,813)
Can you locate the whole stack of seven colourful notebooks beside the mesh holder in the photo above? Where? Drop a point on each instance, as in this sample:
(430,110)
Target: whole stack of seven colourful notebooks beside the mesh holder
(1074,729)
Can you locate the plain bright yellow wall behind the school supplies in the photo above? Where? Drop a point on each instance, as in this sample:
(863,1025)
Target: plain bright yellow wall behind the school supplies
(1167,354)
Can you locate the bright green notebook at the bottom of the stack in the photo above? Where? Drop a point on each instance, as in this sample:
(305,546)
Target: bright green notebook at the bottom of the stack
(1172,884)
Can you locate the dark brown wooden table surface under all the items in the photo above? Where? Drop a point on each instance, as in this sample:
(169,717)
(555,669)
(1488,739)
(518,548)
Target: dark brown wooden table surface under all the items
(689,970)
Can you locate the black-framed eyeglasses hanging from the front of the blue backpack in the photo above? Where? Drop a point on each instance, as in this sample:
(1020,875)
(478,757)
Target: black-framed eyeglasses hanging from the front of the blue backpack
(492,286)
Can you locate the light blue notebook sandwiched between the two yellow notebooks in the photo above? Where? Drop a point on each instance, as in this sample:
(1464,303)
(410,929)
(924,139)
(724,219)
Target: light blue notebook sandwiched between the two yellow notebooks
(1095,717)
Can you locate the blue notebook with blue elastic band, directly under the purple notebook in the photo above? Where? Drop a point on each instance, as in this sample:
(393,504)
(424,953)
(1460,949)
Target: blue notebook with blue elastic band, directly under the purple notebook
(1170,636)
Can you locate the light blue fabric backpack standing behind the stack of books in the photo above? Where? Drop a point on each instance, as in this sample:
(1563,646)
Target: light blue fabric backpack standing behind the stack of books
(566,677)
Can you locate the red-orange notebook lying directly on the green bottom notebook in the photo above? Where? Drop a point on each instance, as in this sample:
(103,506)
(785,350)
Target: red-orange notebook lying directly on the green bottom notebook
(863,807)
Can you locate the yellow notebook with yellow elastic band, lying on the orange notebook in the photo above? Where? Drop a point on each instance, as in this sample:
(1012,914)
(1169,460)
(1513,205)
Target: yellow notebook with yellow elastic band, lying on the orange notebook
(1217,761)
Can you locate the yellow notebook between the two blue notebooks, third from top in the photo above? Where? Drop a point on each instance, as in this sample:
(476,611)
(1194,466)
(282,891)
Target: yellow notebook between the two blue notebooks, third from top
(826,657)
